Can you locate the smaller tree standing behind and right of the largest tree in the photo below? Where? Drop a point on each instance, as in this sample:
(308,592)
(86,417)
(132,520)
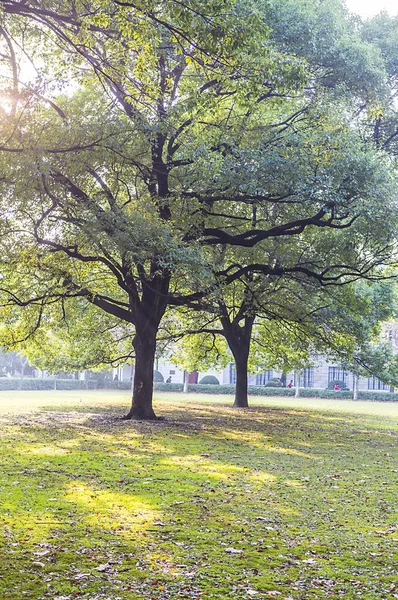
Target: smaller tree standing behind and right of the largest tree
(285,324)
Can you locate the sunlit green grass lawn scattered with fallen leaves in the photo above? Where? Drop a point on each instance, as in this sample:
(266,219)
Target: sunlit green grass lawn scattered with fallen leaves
(292,499)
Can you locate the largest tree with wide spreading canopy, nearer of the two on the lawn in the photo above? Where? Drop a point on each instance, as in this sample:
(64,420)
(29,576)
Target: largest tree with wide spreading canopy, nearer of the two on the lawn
(194,148)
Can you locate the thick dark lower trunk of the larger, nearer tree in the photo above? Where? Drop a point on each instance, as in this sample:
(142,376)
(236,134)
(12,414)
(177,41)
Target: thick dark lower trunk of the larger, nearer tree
(145,347)
